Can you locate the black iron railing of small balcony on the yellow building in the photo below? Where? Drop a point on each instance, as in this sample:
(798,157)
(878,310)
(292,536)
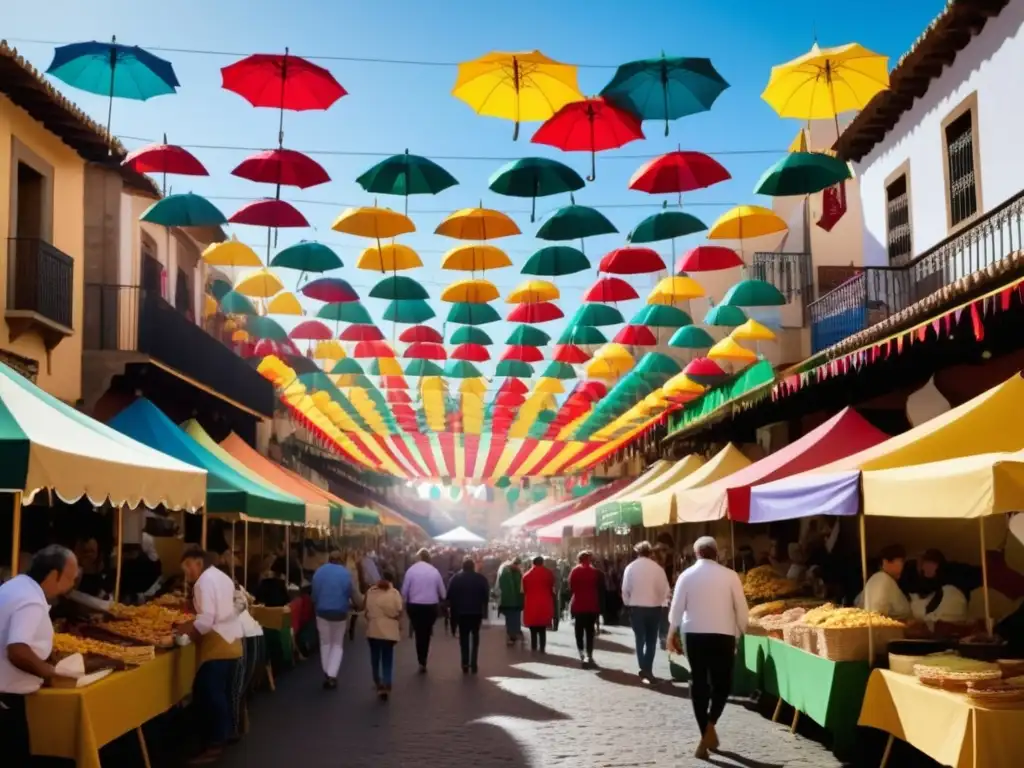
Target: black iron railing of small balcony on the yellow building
(41,280)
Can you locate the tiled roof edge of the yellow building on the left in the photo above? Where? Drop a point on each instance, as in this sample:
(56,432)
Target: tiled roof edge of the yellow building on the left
(28,89)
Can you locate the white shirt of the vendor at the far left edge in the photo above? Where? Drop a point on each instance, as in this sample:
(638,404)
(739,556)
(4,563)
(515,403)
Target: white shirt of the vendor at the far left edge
(25,618)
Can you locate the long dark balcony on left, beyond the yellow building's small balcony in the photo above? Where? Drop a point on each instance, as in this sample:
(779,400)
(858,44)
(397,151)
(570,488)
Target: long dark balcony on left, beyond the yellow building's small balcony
(133,321)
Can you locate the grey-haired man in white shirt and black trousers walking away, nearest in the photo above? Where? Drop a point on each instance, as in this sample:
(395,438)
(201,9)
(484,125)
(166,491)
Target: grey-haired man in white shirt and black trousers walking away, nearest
(709,613)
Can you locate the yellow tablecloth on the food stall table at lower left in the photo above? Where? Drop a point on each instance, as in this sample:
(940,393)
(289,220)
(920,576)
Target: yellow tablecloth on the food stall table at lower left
(75,723)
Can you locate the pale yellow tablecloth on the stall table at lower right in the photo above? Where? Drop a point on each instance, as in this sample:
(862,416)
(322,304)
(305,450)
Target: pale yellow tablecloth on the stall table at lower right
(949,728)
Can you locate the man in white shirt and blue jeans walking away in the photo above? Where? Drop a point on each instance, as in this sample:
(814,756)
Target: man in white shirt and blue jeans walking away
(646,591)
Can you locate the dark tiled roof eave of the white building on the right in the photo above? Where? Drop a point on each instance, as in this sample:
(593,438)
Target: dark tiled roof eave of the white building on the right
(937,48)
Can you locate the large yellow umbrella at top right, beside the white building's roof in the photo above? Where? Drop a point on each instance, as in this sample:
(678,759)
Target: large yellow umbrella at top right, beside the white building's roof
(827,82)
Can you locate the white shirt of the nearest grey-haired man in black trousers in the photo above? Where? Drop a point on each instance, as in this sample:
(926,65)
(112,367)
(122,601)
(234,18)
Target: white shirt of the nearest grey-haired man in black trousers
(709,601)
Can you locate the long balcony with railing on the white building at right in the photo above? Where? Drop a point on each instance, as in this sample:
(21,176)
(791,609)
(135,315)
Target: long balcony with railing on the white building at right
(875,294)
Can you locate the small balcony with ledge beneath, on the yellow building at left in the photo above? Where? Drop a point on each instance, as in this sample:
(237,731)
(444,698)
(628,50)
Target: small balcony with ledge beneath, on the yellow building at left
(40,290)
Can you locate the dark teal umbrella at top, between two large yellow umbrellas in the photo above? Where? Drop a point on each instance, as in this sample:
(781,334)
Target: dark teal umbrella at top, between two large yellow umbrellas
(666,89)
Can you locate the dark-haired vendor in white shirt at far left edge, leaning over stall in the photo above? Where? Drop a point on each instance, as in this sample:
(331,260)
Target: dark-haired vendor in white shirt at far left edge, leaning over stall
(27,643)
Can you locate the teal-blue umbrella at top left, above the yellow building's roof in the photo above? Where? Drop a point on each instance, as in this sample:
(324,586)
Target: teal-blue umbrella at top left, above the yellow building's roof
(113,70)
